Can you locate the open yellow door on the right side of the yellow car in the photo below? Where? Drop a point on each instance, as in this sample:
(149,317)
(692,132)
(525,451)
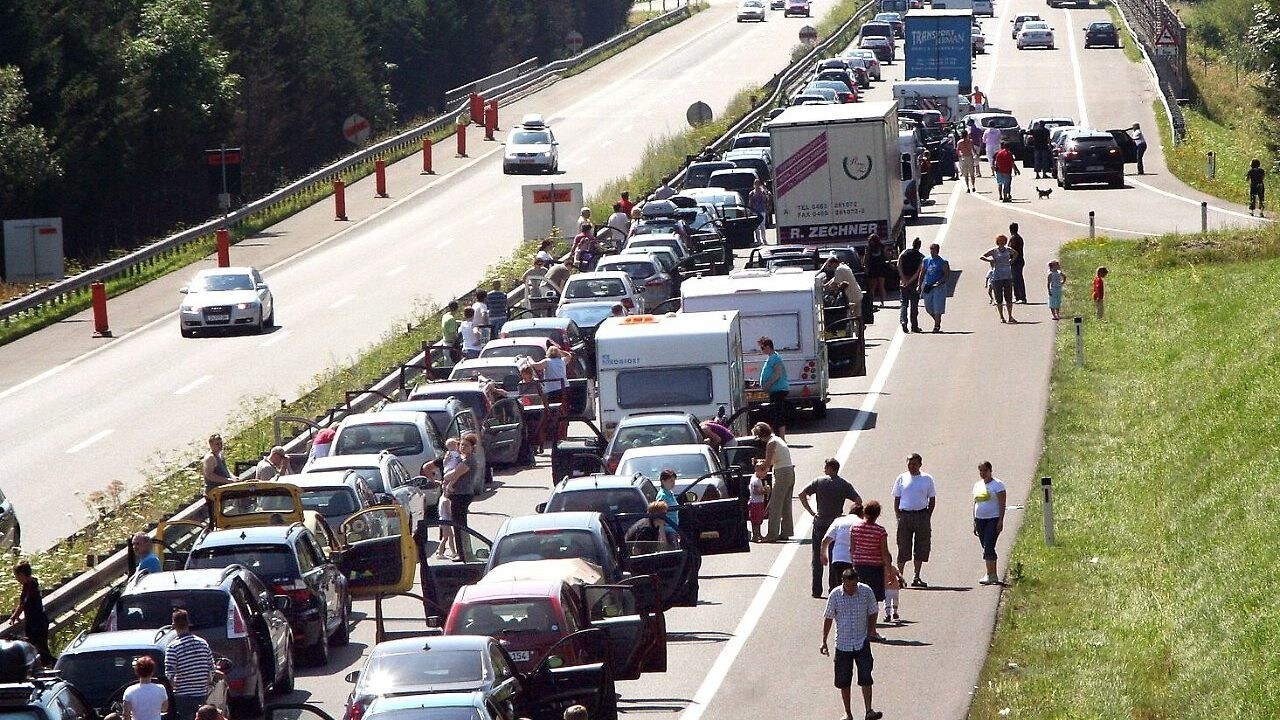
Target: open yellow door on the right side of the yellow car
(378,552)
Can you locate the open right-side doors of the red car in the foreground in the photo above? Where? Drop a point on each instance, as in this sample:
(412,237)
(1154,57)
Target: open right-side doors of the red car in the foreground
(636,639)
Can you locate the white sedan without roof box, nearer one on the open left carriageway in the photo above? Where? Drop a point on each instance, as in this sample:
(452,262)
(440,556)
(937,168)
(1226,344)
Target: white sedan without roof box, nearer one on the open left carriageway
(225,299)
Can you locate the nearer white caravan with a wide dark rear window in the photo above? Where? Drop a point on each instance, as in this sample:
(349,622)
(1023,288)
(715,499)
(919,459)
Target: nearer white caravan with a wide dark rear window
(679,362)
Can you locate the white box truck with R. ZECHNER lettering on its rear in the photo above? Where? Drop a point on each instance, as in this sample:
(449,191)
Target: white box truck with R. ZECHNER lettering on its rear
(836,174)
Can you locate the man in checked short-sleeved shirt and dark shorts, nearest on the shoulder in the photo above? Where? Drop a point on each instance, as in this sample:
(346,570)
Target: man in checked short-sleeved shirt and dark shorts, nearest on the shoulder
(853,609)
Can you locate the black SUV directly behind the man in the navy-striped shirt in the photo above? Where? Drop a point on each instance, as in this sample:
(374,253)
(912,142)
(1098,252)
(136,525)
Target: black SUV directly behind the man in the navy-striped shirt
(230,608)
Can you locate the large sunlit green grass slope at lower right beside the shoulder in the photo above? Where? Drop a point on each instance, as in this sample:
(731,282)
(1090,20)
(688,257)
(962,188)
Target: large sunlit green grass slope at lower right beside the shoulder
(1158,599)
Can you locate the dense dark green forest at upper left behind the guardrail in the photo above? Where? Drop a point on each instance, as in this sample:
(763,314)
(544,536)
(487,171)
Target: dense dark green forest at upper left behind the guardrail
(108,106)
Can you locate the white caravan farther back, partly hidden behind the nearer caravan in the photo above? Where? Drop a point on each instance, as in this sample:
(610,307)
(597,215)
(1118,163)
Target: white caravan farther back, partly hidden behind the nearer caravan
(785,306)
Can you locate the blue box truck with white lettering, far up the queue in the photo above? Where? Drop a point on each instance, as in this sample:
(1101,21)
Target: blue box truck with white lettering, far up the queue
(939,44)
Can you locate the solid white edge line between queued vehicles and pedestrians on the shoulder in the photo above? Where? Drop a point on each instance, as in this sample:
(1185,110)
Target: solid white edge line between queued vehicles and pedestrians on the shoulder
(765,595)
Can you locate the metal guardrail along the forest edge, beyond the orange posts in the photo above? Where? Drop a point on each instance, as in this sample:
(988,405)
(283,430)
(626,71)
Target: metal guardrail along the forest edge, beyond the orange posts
(62,291)
